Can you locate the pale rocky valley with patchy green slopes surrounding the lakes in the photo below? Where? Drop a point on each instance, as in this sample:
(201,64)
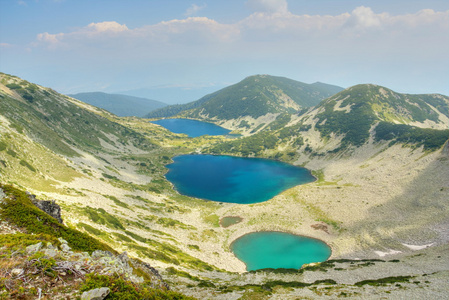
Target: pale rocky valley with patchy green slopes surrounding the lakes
(379,201)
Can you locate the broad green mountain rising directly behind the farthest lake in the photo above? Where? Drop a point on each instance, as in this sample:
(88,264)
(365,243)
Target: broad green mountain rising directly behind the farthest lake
(254,96)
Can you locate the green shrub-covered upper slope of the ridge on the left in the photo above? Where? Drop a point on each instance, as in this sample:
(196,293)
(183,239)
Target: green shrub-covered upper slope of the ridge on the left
(59,122)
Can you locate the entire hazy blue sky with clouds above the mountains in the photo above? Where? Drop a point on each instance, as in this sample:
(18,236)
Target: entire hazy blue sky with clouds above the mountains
(178,50)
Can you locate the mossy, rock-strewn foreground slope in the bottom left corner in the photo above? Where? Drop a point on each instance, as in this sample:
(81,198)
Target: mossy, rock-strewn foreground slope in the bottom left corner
(38,261)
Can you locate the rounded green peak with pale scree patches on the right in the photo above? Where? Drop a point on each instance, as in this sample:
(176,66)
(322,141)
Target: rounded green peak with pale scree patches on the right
(354,111)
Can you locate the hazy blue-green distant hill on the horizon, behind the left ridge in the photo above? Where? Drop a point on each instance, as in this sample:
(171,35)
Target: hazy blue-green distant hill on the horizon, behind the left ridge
(120,105)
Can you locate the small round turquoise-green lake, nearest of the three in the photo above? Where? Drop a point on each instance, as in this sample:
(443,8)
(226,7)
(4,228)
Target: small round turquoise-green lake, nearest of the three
(272,249)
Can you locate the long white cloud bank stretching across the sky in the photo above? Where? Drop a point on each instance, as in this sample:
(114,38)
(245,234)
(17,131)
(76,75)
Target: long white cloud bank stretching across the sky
(361,32)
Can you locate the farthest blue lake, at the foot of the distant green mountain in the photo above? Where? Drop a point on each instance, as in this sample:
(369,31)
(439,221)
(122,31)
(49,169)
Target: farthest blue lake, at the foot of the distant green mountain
(192,128)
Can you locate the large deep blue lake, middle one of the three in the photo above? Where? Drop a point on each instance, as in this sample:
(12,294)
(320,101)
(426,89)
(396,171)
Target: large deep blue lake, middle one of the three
(234,179)
